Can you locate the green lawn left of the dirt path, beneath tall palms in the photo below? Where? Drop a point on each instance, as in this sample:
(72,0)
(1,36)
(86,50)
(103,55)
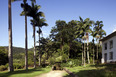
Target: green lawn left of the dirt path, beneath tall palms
(24,73)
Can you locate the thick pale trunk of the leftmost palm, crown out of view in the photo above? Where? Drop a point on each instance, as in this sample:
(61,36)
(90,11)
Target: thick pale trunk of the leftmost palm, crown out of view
(10,53)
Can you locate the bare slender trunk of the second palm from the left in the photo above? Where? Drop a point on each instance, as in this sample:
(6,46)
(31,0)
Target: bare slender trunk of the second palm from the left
(26,49)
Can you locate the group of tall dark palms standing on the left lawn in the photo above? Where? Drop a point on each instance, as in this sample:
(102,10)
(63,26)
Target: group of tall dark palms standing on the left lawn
(38,20)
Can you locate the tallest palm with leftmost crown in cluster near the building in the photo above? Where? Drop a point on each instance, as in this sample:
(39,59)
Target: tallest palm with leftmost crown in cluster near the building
(83,27)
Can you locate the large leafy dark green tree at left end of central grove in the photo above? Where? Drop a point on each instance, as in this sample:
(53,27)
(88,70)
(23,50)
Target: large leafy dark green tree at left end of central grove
(59,33)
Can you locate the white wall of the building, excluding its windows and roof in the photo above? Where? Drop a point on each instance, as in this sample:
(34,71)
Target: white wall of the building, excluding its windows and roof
(109,50)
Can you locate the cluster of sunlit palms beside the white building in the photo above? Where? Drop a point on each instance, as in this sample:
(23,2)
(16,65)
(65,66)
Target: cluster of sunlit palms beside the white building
(85,28)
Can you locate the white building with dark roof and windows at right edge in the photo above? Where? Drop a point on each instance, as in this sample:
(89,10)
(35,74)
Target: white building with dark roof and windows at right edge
(109,48)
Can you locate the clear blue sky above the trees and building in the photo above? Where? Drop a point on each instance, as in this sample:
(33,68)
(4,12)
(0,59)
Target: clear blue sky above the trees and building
(102,10)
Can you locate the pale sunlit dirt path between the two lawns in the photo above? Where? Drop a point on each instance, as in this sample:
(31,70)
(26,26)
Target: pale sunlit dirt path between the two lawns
(53,74)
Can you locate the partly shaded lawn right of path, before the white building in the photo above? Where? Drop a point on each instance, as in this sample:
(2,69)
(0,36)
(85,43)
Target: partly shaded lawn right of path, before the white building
(103,70)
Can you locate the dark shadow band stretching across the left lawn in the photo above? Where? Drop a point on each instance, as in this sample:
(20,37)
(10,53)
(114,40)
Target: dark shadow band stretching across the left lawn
(8,74)
